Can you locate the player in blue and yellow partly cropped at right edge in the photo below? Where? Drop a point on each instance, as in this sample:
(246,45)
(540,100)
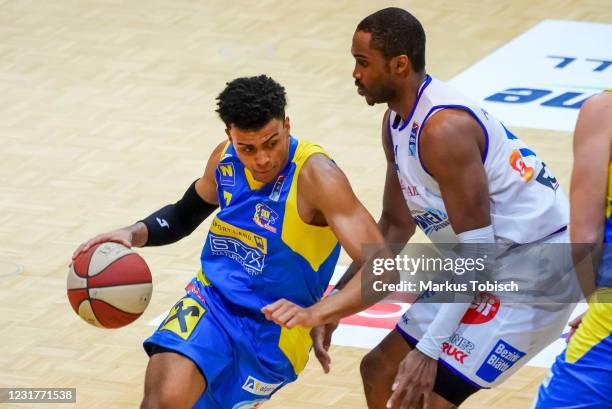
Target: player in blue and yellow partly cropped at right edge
(580,377)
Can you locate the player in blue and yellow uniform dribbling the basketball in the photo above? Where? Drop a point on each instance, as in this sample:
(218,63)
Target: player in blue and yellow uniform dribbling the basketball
(284,206)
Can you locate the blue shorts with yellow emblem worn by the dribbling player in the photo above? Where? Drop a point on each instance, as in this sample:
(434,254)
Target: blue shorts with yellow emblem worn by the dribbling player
(244,358)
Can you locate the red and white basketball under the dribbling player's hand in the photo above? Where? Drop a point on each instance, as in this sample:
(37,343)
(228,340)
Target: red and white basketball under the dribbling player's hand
(109,285)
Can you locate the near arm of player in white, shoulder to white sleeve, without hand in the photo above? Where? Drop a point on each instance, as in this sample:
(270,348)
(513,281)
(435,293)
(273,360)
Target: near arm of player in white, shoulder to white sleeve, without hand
(452,145)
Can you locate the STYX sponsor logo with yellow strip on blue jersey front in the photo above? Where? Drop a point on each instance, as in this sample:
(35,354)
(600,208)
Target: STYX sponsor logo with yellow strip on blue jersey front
(242,246)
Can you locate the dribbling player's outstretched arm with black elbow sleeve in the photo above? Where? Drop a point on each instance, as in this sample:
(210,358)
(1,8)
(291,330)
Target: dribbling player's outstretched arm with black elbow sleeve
(172,222)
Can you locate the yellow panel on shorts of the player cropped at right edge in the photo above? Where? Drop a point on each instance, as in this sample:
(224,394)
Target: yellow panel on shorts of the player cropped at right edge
(596,325)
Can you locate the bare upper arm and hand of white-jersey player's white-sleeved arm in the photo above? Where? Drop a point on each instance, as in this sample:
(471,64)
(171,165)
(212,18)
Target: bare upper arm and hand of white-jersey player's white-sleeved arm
(451,147)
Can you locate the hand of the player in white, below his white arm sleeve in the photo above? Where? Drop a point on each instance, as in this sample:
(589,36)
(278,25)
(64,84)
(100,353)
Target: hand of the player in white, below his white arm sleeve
(414,381)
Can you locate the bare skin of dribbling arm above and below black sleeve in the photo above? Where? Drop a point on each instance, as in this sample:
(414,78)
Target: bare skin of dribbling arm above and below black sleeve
(136,235)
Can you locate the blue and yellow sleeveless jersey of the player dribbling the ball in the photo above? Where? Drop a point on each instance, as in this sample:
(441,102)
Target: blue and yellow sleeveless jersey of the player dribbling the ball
(258,249)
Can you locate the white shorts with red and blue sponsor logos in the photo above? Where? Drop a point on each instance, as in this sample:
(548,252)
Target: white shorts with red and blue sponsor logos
(495,338)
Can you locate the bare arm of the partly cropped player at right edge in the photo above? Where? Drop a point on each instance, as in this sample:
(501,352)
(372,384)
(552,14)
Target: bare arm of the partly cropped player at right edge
(592,144)
